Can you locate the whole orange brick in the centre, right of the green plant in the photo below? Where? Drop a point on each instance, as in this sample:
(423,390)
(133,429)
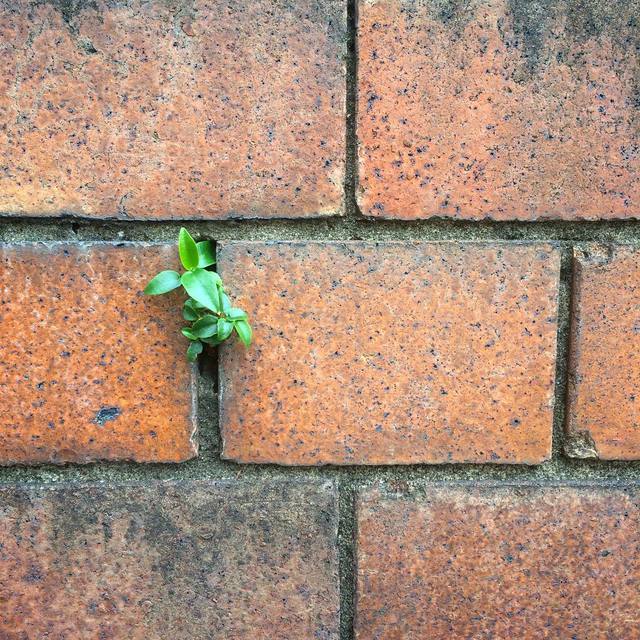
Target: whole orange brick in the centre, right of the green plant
(391,353)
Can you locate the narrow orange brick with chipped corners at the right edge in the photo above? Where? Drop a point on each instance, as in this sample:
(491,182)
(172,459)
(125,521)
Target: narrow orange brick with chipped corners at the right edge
(603,416)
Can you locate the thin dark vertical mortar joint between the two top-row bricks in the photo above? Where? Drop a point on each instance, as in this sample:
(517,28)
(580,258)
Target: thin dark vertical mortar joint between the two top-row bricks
(351,152)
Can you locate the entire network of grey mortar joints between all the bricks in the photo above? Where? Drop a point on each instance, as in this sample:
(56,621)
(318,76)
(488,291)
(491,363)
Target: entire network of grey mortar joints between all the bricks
(412,479)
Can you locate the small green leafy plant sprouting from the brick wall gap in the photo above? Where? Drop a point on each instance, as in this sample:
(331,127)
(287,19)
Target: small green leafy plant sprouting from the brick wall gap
(208,308)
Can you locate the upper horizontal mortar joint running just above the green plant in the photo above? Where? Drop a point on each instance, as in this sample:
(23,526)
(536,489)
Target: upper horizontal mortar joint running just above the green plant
(329,229)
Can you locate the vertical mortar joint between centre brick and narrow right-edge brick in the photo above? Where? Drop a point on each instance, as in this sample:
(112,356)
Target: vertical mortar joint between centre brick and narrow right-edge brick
(562,349)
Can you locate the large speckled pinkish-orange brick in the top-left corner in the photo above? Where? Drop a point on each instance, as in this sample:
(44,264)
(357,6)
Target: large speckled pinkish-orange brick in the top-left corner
(167,110)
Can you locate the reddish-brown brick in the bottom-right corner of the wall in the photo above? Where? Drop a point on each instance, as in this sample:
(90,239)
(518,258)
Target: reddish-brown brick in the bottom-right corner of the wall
(509,562)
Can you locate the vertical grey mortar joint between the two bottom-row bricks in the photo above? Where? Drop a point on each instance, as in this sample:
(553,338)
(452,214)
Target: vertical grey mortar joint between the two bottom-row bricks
(346,554)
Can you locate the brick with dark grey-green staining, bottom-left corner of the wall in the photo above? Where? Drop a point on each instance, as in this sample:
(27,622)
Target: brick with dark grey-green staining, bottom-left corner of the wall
(195,560)
